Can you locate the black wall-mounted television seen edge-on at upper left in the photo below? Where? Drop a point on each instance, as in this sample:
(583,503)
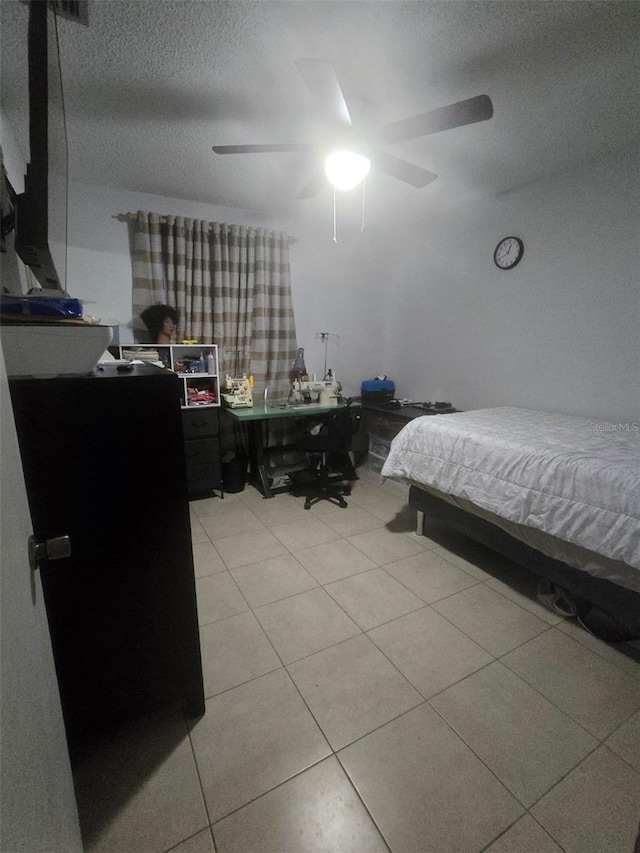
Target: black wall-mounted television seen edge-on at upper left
(41,210)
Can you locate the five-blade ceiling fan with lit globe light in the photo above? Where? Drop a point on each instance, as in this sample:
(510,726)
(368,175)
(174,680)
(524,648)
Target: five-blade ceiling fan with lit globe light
(322,82)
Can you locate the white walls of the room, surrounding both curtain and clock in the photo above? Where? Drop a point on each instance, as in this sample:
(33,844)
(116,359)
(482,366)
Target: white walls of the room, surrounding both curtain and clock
(423,302)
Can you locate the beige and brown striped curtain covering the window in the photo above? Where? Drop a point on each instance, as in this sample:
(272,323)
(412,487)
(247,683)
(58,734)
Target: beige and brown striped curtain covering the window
(231,285)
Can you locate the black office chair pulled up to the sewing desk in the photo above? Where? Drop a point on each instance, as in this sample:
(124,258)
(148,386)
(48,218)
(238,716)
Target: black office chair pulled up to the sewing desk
(328,453)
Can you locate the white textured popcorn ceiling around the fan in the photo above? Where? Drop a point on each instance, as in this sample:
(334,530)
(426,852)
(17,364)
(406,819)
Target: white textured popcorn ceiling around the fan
(150,86)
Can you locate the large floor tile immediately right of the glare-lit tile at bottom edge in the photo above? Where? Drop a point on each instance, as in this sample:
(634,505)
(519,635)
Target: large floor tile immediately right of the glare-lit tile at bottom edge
(425,788)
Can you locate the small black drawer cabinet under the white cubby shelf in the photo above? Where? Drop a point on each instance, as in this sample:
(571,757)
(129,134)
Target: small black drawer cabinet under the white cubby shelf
(201,427)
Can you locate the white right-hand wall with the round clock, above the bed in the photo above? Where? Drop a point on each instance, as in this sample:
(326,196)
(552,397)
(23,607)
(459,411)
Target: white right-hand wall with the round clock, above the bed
(560,332)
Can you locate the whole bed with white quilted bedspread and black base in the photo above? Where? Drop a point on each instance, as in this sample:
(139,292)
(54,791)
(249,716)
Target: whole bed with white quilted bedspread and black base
(555,493)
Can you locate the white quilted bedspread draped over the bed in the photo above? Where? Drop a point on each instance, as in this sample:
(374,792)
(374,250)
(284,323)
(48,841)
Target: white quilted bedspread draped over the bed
(575,478)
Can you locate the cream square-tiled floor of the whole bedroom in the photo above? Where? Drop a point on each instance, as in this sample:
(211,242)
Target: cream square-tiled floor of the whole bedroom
(371,690)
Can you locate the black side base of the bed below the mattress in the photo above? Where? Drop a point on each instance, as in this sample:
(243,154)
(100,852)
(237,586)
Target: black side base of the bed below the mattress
(620,604)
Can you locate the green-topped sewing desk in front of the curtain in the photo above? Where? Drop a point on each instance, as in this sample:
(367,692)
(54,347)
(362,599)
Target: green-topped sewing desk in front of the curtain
(255,417)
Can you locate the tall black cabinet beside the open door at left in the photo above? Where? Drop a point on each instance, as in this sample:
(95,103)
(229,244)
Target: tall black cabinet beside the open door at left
(103,462)
